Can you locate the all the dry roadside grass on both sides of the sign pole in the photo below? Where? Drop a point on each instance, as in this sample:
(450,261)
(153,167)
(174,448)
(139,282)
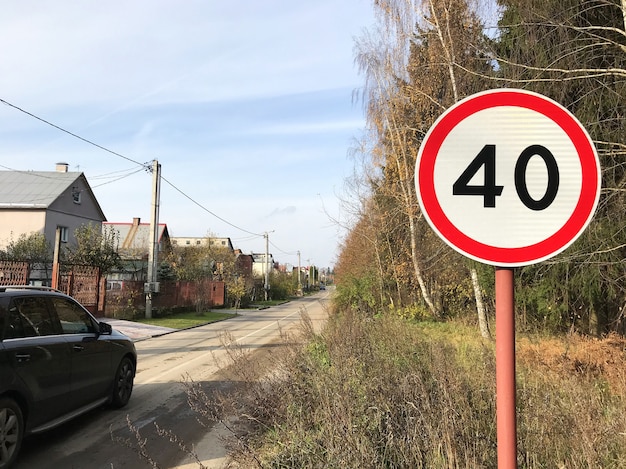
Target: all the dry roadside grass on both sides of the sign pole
(383,393)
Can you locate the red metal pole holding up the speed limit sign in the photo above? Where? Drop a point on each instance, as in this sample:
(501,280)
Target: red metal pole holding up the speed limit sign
(505,369)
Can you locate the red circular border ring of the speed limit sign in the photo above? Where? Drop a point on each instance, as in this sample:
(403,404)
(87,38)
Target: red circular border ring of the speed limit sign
(495,255)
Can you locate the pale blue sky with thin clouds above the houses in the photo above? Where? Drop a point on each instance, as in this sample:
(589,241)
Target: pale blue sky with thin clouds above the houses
(247,105)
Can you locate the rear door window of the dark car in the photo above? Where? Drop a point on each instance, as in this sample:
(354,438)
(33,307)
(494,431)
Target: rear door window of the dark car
(29,317)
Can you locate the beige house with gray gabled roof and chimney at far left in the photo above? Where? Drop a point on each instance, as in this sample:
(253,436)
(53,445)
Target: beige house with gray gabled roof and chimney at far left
(42,201)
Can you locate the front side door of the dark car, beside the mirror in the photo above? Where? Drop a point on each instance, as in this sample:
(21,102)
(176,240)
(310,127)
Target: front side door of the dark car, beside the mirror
(92,373)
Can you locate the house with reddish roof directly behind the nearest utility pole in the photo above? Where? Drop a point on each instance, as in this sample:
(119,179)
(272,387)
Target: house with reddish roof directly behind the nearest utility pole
(134,246)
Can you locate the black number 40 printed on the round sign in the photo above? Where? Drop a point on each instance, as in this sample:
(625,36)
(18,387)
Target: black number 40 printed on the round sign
(490,190)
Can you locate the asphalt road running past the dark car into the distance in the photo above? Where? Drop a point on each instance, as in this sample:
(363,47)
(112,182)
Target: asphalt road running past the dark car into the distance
(96,440)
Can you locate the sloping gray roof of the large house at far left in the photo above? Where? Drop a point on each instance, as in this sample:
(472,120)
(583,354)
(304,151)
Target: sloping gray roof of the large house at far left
(33,189)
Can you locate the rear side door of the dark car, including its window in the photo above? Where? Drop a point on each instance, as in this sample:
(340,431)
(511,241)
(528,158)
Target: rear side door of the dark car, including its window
(36,350)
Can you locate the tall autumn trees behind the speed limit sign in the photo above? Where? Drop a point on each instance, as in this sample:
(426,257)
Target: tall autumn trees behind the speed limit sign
(424,57)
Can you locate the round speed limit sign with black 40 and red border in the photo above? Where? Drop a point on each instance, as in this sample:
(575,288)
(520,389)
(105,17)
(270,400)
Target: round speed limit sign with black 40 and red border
(508,177)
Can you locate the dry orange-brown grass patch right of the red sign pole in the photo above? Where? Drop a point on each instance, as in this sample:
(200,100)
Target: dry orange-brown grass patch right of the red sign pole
(572,398)
